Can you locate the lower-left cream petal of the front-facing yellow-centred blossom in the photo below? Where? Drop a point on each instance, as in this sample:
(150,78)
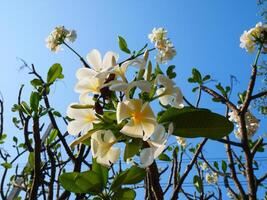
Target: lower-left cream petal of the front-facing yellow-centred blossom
(132,130)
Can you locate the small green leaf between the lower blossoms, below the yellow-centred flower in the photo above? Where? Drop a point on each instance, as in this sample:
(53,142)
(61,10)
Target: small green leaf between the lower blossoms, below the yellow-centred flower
(132,147)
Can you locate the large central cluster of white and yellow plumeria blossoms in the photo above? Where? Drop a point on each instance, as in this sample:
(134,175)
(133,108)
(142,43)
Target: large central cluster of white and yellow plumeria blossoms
(115,107)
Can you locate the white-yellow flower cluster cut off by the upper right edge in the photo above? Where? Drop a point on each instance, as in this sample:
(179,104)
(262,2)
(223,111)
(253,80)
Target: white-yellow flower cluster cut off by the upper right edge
(253,37)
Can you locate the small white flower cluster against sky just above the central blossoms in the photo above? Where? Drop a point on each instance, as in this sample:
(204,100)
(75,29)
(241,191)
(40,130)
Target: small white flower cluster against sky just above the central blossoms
(166,50)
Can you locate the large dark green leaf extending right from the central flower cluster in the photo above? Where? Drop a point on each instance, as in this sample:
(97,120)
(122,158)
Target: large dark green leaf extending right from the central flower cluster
(191,123)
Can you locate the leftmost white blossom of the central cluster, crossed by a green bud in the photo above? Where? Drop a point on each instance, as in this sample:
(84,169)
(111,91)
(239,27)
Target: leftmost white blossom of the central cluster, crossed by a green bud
(83,119)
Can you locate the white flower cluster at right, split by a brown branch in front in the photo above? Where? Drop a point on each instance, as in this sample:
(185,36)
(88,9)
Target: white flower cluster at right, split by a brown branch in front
(252,124)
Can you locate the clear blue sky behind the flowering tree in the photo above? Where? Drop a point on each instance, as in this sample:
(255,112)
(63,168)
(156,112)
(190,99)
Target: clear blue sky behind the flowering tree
(205,34)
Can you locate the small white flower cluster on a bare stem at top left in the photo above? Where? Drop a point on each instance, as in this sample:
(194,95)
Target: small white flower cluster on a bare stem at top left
(58,36)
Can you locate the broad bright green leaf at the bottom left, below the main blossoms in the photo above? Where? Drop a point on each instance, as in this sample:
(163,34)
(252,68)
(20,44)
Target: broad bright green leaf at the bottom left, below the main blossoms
(84,182)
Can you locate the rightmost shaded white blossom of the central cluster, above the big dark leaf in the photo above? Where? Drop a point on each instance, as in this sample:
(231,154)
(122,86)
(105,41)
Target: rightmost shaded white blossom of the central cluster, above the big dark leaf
(168,93)
